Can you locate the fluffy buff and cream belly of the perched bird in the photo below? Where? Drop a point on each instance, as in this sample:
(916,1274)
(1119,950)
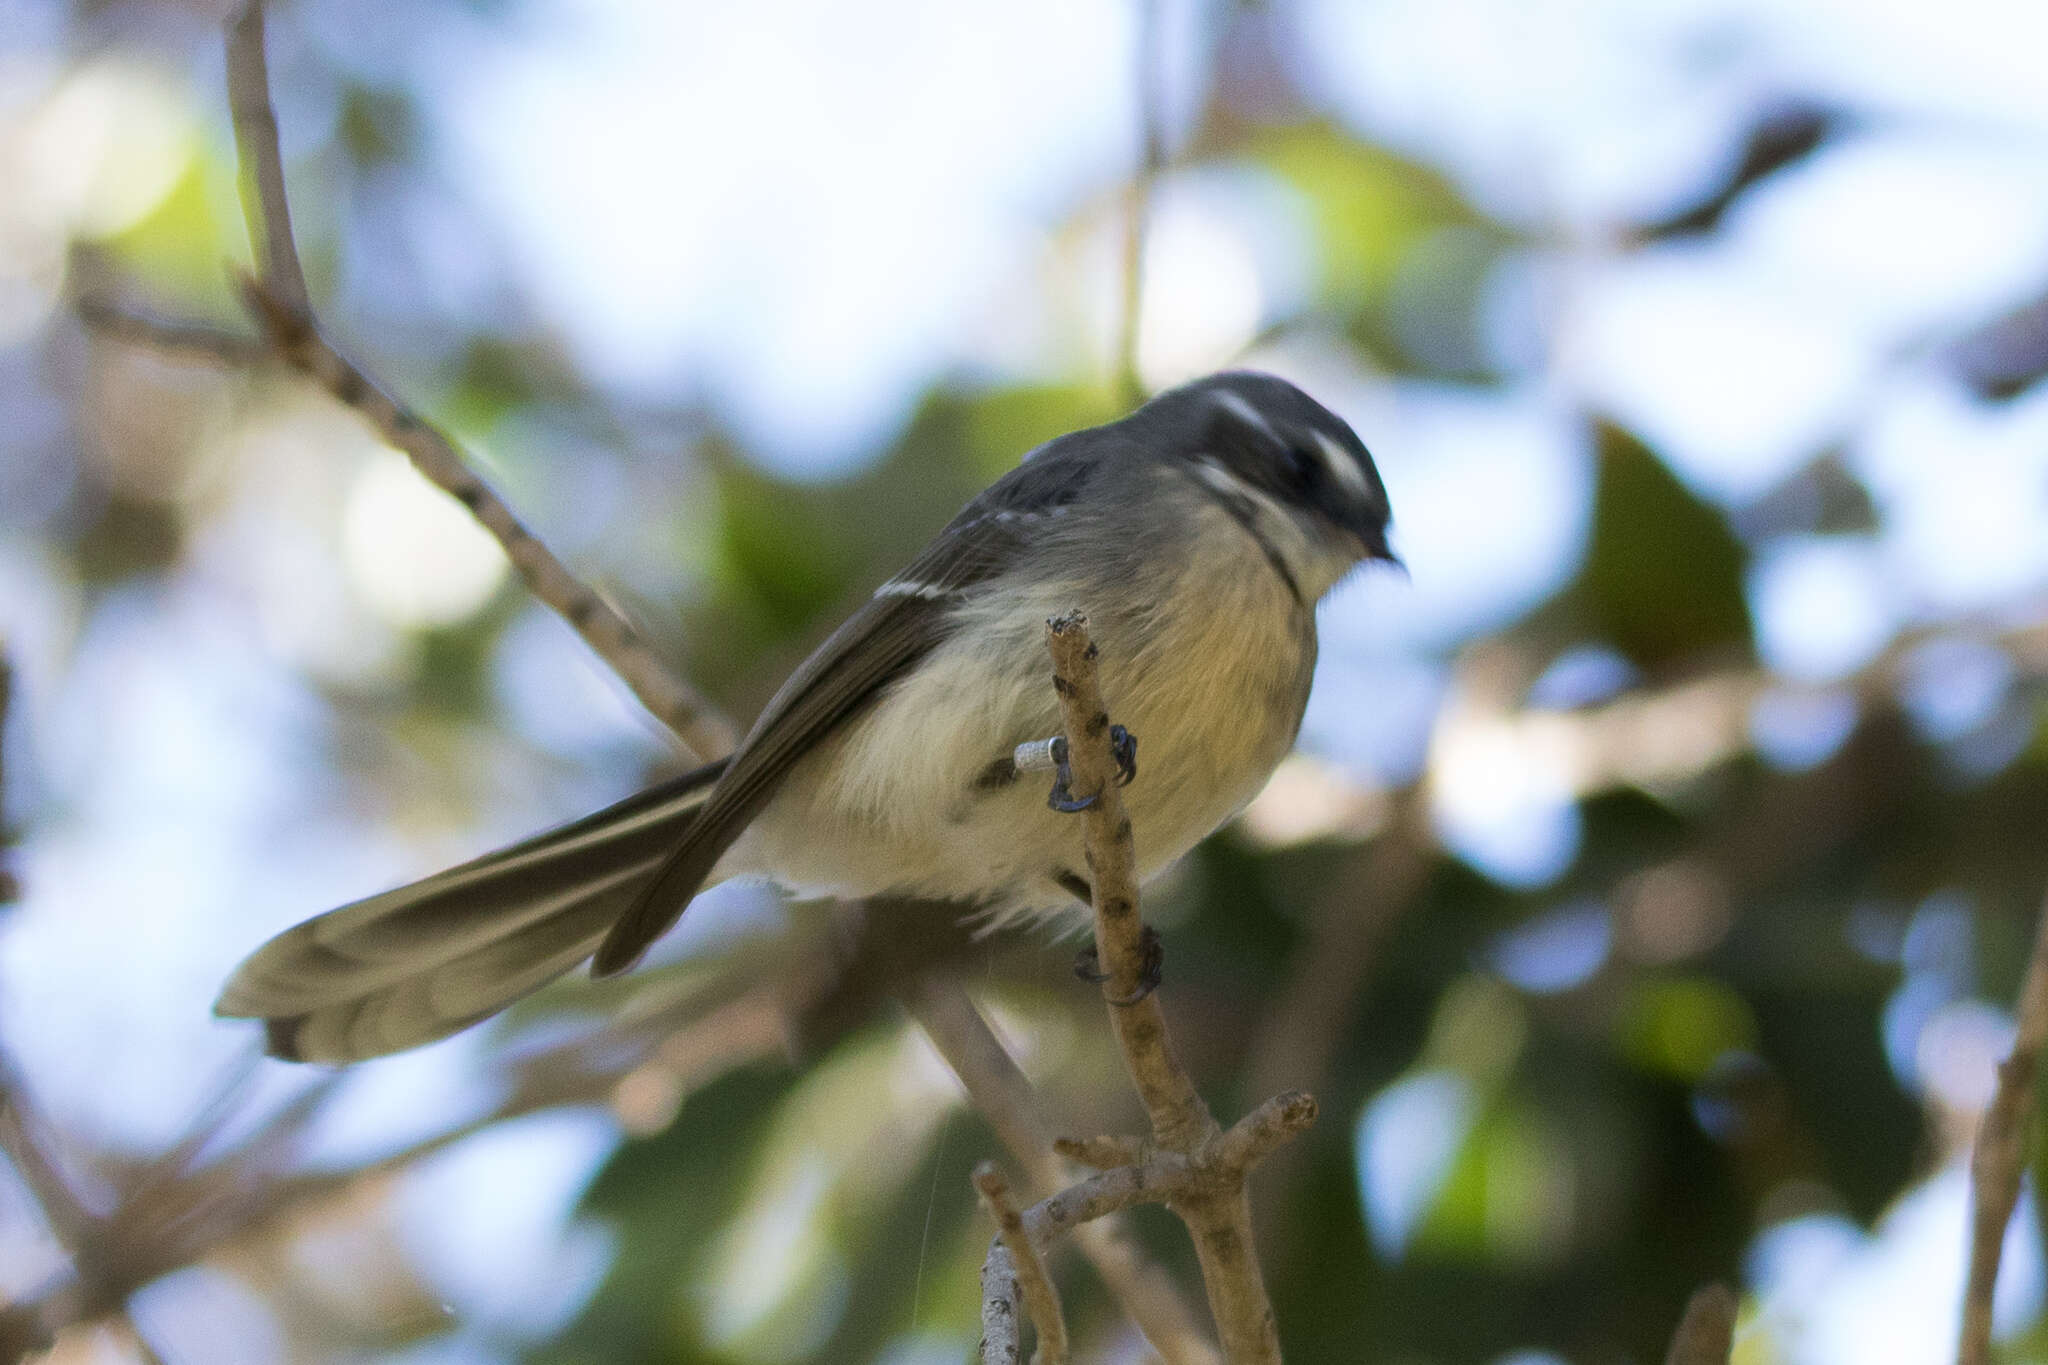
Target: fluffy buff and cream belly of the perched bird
(902,803)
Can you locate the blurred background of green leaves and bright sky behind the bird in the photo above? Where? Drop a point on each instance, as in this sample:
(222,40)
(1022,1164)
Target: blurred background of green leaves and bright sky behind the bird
(1644,901)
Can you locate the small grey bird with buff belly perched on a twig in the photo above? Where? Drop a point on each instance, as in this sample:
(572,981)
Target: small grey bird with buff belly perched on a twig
(1197,535)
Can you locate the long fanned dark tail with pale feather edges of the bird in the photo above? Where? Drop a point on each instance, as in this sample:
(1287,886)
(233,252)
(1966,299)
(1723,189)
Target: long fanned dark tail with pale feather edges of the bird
(431,959)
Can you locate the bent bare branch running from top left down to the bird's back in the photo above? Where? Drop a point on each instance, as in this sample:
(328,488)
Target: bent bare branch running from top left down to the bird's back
(282,310)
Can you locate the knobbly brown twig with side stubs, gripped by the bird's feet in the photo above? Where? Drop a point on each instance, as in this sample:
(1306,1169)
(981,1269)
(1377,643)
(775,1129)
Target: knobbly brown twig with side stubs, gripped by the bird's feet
(1199,1172)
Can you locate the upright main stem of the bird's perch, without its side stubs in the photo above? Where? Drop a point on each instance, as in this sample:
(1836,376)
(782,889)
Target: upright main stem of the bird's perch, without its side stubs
(1218,1208)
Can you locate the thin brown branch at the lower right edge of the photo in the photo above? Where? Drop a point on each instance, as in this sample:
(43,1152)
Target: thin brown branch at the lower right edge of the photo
(2002,1155)
